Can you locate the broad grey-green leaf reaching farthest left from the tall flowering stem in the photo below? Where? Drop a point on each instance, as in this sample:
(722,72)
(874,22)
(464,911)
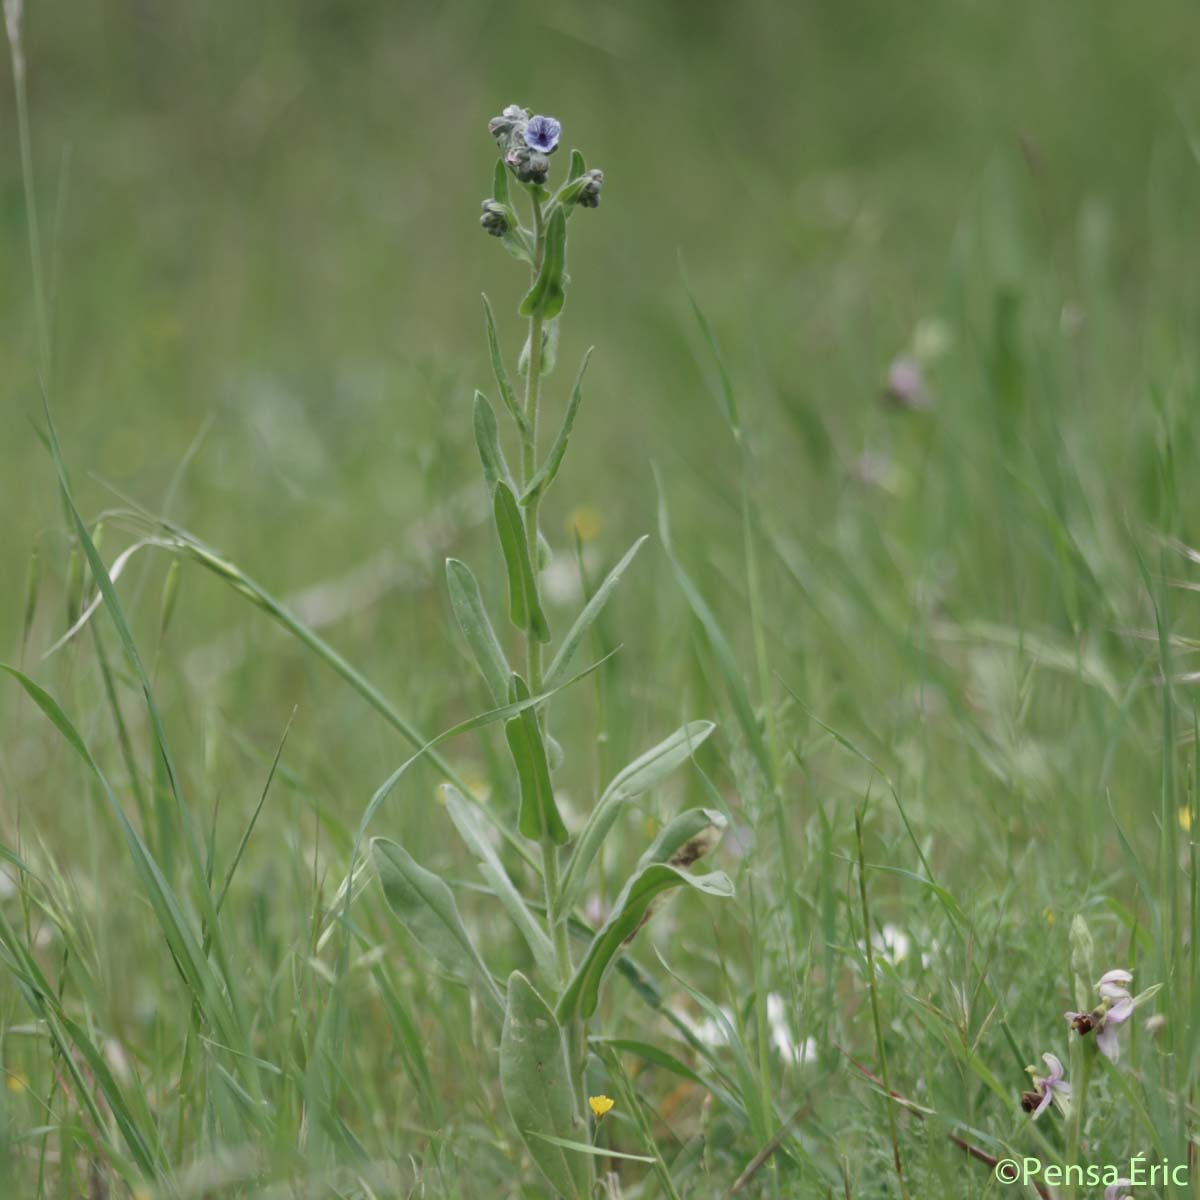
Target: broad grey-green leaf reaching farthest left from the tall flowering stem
(427,908)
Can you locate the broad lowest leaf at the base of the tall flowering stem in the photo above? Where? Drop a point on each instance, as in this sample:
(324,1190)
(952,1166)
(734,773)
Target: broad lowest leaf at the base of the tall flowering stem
(539,1091)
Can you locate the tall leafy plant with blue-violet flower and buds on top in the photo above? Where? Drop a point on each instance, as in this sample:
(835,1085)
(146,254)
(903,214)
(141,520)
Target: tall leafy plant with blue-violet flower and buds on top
(544,1016)
